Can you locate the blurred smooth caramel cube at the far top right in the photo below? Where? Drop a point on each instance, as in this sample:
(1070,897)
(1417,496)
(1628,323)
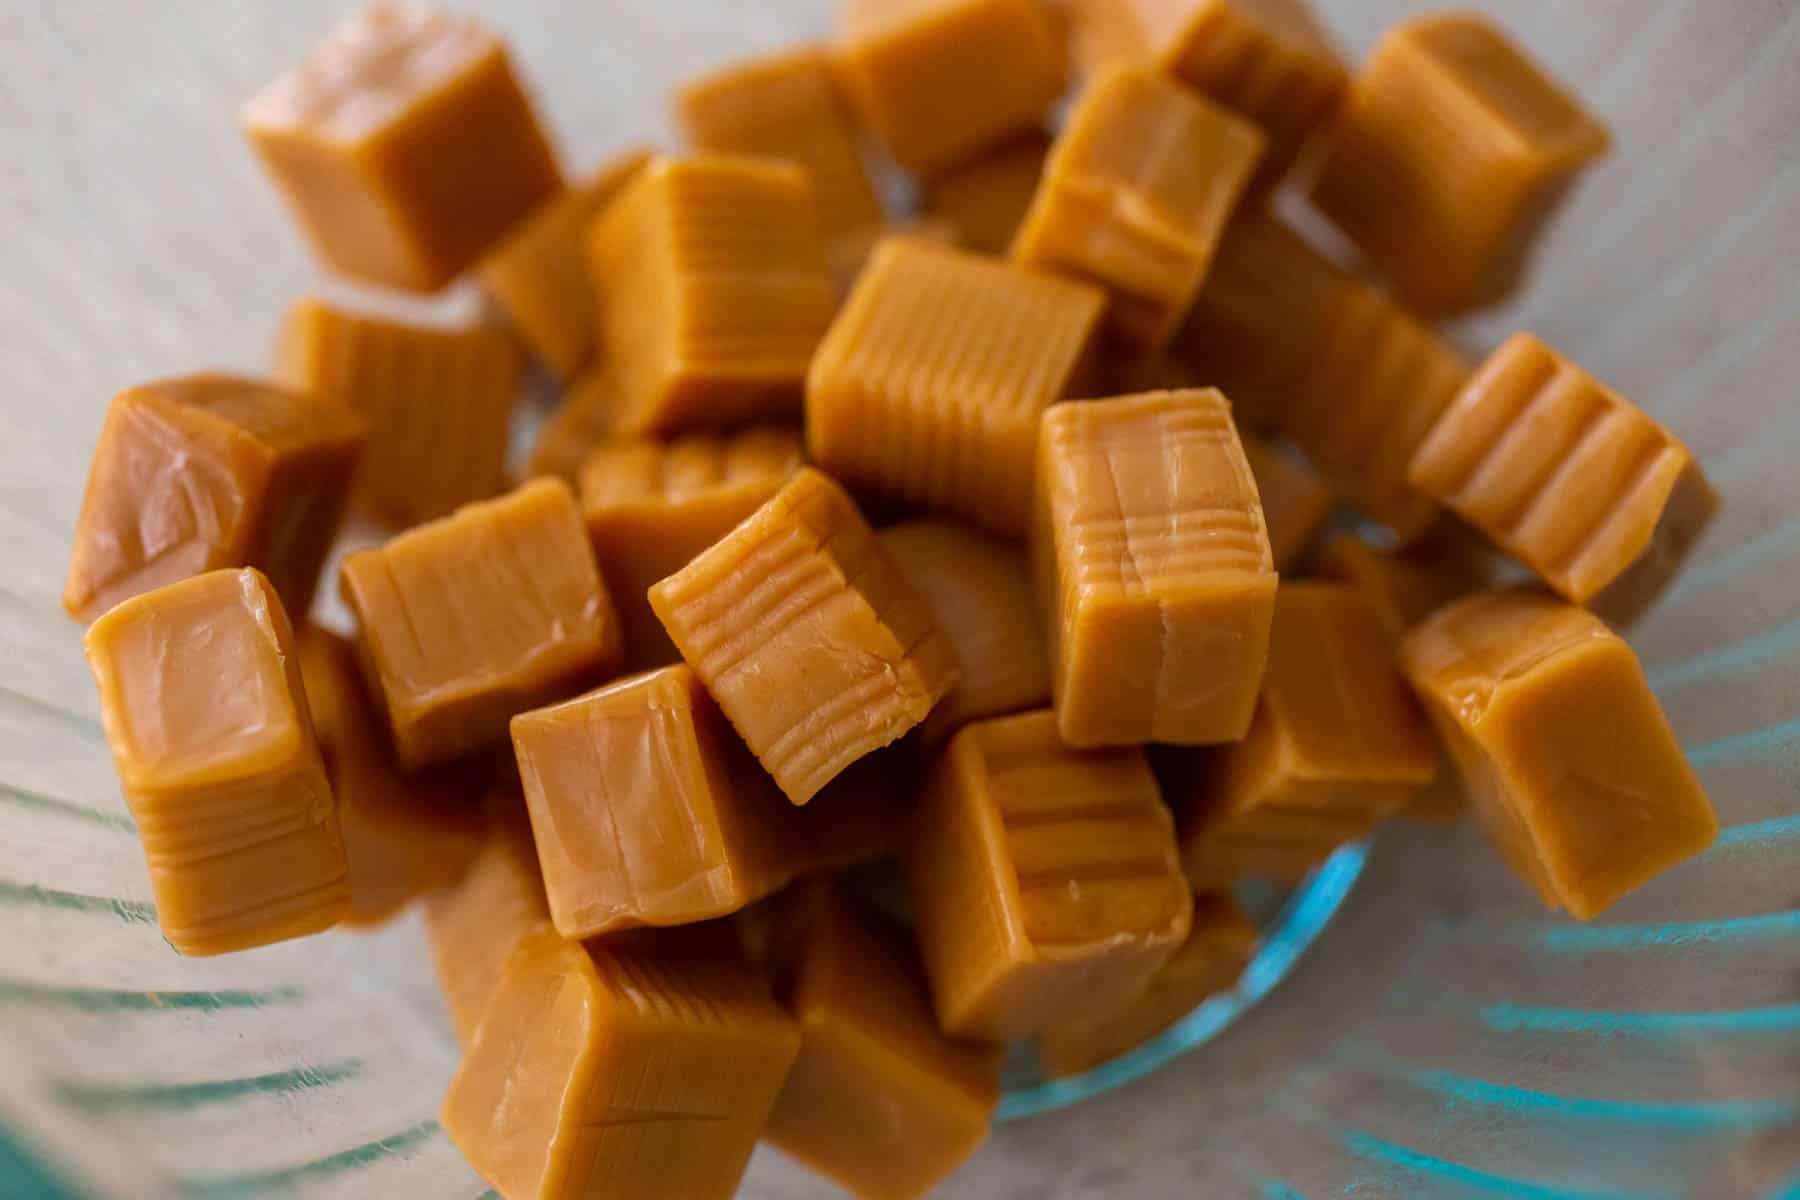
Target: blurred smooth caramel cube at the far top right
(1452,154)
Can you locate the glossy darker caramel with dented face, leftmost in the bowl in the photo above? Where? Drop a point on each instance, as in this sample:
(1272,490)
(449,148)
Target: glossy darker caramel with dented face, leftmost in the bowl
(208,472)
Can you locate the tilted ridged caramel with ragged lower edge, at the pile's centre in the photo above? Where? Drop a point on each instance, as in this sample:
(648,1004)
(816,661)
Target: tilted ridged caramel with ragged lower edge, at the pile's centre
(807,636)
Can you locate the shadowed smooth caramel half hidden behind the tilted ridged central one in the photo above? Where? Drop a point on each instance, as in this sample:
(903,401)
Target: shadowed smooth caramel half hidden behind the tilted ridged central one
(978,591)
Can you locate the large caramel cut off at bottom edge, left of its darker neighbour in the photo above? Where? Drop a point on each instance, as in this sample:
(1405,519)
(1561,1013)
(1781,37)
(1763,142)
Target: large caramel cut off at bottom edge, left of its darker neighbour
(618,1071)
